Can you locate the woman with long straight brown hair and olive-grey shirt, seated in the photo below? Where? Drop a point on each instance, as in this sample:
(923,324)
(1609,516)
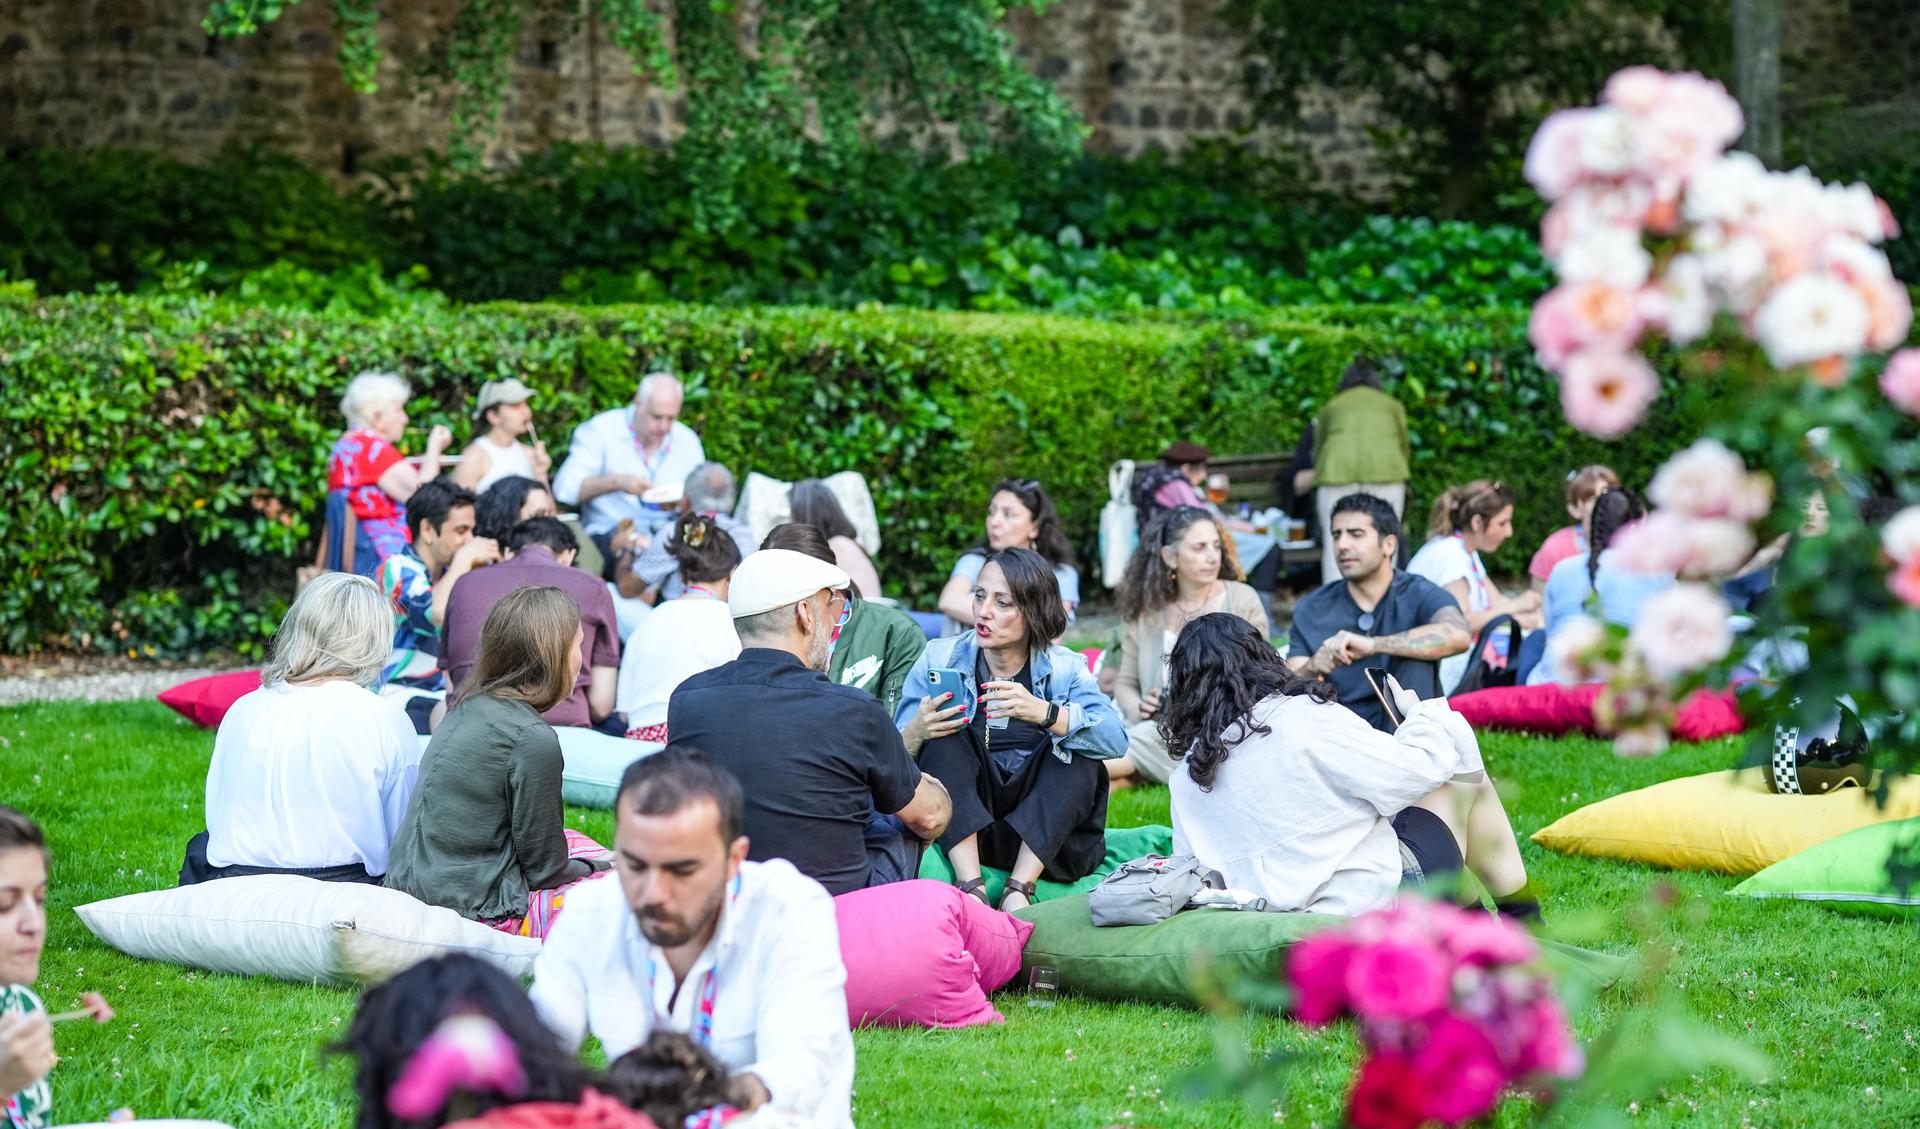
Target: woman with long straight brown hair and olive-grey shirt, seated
(485,834)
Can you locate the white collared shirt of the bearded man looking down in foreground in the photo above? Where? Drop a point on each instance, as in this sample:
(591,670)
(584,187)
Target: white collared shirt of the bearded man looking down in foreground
(780,988)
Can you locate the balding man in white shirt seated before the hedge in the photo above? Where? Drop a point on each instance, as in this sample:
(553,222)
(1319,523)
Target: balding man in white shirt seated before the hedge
(621,454)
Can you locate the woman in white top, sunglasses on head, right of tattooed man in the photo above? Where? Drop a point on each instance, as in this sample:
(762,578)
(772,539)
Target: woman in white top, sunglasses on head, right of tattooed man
(1468,521)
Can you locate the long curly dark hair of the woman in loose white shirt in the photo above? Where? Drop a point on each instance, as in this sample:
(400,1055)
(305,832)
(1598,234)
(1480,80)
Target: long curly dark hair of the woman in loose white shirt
(1222,667)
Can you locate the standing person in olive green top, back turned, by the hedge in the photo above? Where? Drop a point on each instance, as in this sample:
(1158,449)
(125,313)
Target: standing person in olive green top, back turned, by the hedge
(1360,448)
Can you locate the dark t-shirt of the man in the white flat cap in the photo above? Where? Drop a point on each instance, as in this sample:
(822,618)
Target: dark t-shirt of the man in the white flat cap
(815,759)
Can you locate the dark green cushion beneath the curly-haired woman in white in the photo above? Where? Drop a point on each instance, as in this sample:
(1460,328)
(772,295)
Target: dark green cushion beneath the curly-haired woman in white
(1197,953)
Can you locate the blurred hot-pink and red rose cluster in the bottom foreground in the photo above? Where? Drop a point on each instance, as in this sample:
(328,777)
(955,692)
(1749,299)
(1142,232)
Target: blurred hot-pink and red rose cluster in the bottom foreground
(1452,1013)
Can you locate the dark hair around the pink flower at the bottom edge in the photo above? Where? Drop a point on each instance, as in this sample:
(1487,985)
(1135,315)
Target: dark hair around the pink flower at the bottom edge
(396,1017)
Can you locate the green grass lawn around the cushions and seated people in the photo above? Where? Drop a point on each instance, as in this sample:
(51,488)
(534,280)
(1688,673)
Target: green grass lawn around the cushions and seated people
(1833,1001)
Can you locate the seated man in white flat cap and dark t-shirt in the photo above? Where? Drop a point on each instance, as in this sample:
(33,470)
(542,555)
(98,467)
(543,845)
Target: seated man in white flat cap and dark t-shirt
(828,782)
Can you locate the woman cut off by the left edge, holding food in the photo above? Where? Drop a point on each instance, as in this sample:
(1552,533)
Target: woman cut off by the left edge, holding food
(26,1034)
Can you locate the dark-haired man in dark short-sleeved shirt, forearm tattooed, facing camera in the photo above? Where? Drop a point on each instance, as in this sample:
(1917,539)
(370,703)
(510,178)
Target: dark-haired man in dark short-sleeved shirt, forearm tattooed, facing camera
(1374,615)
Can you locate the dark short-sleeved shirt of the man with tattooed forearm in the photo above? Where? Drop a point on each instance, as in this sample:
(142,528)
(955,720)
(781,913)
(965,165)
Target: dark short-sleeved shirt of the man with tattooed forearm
(1410,602)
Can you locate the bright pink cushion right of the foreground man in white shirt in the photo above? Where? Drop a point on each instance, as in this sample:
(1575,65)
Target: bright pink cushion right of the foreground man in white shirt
(924,955)
